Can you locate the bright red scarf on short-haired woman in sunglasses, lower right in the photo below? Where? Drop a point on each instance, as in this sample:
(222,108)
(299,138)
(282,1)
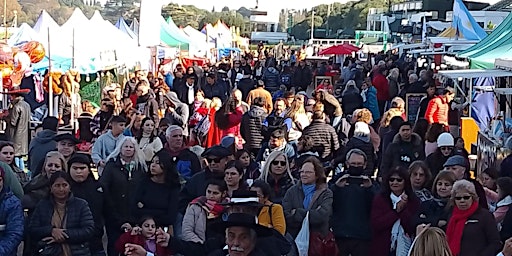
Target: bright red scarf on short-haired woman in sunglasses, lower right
(456,226)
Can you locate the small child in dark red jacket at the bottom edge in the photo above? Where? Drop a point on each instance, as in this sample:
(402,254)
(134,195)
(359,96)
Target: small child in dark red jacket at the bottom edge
(143,236)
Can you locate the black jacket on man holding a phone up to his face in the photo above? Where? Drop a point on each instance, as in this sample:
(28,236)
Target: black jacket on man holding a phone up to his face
(352,206)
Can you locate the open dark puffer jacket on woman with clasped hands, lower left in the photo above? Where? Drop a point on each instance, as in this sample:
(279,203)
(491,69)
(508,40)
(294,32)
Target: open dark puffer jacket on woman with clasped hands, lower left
(79,224)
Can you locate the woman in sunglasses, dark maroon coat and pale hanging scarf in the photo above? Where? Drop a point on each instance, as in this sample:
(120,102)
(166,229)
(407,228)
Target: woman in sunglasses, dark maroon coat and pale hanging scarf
(392,212)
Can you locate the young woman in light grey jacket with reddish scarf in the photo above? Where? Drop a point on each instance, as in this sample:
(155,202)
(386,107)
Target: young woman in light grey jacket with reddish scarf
(202,210)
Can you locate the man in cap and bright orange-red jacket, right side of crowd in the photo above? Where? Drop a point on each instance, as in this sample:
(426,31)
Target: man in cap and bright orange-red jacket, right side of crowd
(437,109)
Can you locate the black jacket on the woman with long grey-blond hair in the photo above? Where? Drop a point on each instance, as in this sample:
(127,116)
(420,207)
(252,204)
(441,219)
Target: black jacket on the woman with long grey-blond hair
(119,190)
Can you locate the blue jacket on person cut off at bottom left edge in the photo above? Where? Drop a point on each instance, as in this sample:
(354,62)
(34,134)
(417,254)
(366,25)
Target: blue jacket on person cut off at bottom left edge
(11,215)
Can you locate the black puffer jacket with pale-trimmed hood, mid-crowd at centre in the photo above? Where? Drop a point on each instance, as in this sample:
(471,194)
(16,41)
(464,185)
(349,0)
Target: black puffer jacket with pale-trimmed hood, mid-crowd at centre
(250,127)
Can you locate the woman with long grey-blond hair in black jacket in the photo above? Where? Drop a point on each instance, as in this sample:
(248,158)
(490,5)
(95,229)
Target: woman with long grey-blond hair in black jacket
(125,167)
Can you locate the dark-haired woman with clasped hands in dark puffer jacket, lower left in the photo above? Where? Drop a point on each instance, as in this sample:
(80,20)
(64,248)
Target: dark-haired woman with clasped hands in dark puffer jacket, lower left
(62,224)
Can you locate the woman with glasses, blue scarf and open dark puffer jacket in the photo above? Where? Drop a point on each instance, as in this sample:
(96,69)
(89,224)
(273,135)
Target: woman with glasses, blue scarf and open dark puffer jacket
(309,195)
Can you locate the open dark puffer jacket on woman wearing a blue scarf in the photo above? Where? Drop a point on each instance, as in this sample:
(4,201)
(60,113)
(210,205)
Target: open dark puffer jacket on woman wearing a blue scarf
(320,209)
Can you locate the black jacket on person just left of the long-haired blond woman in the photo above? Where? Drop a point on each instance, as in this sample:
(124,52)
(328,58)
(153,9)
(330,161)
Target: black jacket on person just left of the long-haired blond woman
(92,191)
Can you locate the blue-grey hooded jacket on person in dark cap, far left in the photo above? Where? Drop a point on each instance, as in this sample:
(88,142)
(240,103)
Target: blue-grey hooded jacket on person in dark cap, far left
(39,146)
